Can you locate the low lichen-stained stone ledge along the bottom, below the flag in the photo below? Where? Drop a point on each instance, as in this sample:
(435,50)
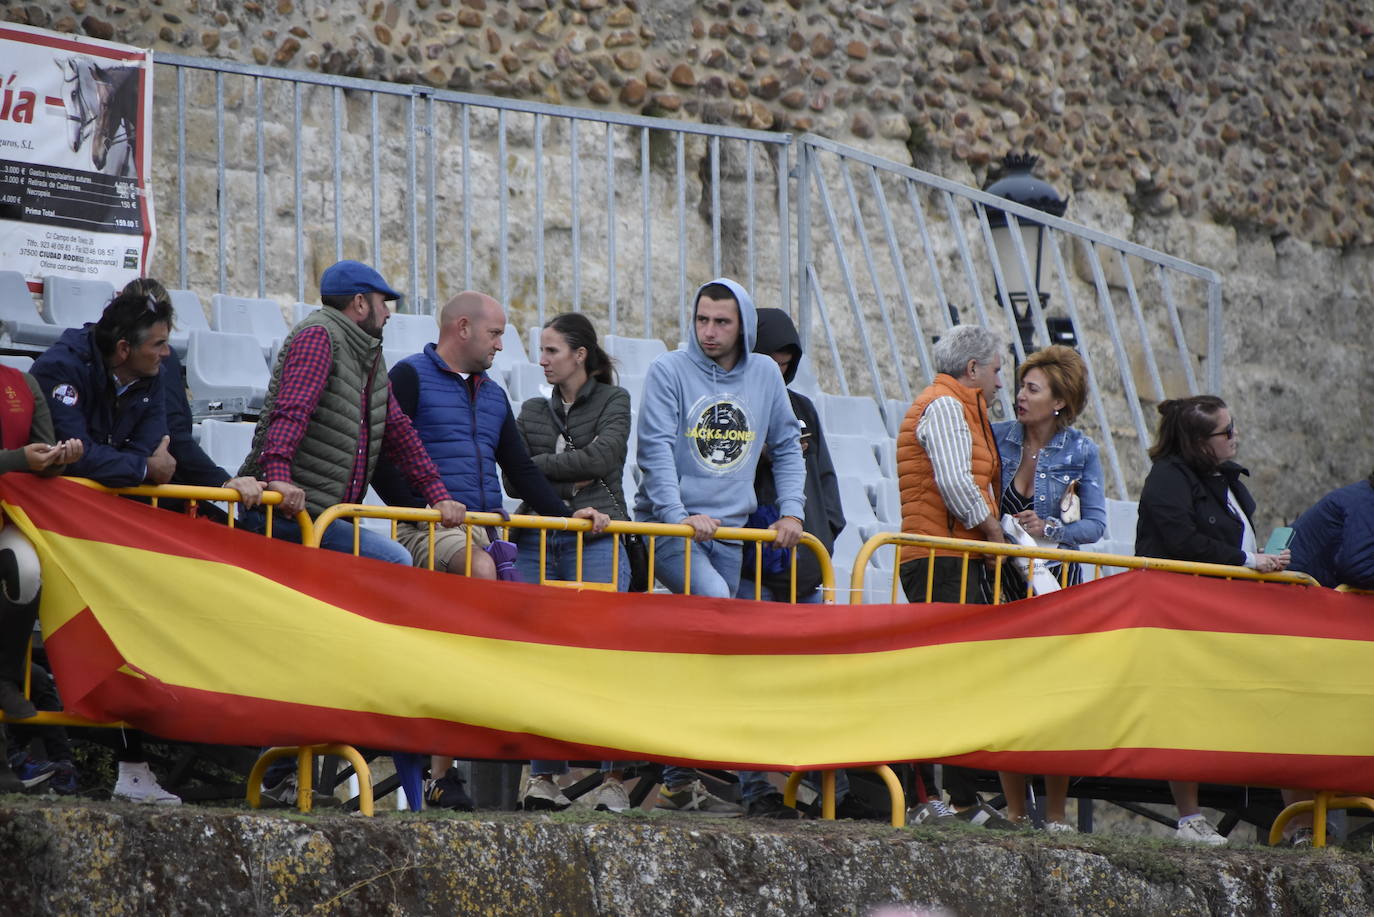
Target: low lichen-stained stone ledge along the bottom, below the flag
(124,860)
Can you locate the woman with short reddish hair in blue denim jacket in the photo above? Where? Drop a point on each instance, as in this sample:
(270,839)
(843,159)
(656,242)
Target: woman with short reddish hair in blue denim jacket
(1042,456)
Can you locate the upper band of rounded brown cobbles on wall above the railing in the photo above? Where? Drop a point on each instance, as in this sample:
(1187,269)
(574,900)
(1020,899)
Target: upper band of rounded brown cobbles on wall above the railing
(1255,115)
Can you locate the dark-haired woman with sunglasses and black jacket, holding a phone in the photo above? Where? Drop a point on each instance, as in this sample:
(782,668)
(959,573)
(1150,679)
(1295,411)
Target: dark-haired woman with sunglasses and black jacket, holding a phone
(1195,508)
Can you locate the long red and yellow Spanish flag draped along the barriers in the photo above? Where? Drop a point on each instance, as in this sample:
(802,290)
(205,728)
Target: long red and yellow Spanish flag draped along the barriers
(199,633)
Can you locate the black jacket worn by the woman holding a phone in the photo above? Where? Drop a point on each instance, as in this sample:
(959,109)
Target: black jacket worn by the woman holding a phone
(1185,518)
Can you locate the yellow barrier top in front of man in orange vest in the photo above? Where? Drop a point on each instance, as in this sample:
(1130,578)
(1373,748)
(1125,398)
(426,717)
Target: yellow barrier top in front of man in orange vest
(969,551)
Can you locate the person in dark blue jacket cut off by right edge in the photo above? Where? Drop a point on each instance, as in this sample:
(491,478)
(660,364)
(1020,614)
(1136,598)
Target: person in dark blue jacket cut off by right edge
(1335,541)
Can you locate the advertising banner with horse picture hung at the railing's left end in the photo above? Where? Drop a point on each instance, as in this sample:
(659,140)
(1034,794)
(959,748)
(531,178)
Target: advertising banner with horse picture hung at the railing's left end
(75,157)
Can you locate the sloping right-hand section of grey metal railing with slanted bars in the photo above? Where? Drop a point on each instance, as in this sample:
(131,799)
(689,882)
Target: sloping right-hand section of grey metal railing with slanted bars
(891,229)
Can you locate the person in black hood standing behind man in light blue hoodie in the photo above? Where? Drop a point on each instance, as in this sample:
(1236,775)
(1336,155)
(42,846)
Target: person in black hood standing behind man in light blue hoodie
(825,519)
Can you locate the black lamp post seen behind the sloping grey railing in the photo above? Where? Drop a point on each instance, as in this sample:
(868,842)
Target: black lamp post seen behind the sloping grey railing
(1019,185)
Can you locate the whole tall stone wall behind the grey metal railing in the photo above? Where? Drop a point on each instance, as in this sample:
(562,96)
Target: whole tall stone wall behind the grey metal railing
(1235,135)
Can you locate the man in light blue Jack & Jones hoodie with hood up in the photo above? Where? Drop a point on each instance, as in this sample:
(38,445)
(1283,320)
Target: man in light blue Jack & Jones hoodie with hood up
(706,417)
